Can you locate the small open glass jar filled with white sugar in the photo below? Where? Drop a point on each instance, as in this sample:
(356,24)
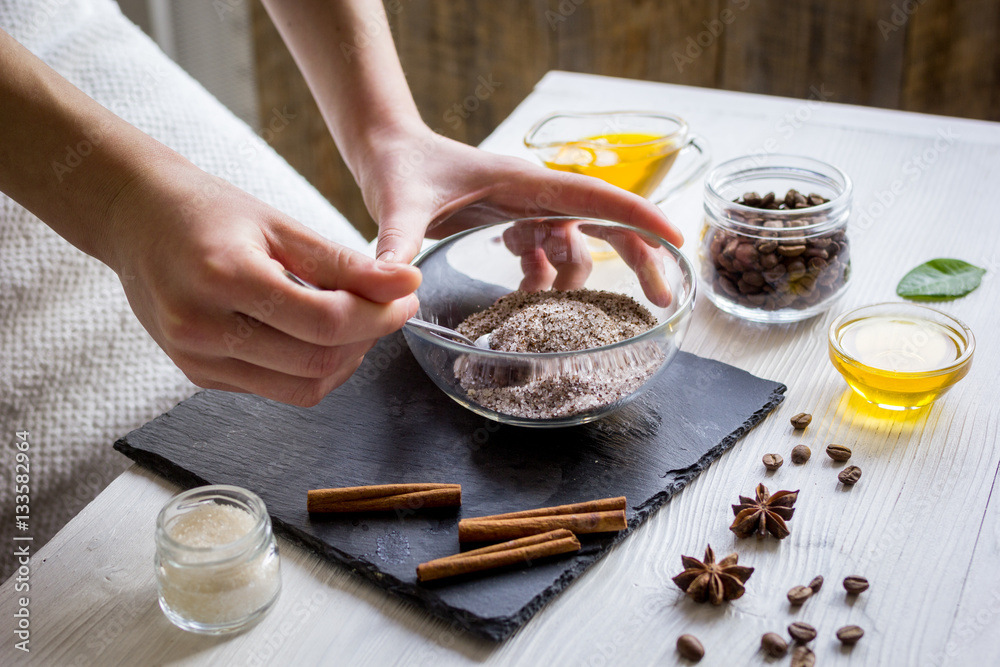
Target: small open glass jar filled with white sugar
(217,567)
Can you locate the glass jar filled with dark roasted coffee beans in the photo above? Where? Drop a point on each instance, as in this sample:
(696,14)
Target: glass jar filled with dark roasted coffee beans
(780,264)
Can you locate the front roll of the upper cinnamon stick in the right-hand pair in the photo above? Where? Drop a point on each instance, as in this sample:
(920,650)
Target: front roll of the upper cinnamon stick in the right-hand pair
(487,529)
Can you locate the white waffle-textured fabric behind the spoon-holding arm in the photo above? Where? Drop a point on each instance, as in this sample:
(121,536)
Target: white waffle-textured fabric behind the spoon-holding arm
(77,370)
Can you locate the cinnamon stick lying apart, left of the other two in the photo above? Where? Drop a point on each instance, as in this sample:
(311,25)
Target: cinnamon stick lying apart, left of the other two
(384,497)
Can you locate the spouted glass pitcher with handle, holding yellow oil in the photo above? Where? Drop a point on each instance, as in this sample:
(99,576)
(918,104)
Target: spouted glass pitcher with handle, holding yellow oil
(635,150)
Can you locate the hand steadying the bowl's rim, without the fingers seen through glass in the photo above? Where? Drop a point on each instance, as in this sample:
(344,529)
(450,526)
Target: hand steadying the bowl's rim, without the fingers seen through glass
(416,182)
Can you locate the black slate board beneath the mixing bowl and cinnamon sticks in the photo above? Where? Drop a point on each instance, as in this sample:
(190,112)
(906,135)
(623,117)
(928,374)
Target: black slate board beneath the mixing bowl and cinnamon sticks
(389,423)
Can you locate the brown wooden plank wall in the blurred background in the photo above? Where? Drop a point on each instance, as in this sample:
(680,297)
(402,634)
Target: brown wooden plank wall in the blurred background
(933,56)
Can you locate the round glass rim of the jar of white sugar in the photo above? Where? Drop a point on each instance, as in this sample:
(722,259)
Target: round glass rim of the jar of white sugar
(257,535)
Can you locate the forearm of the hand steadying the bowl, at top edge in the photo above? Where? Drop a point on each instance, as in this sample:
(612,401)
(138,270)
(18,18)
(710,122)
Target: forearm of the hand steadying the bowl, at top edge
(345,51)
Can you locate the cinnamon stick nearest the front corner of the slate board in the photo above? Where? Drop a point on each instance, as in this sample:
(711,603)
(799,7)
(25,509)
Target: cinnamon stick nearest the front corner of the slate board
(547,544)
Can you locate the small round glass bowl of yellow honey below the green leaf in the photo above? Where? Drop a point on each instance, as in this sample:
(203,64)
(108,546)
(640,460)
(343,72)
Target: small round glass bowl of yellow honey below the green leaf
(900,356)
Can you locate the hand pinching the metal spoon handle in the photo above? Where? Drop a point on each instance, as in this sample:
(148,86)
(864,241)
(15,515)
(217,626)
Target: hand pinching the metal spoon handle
(202,264)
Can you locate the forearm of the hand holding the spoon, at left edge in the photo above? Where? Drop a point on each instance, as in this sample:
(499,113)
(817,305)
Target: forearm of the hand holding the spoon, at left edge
(63,156)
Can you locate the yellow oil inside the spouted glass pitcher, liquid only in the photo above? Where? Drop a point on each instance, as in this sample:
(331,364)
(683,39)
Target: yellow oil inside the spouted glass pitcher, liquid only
(635,162)
